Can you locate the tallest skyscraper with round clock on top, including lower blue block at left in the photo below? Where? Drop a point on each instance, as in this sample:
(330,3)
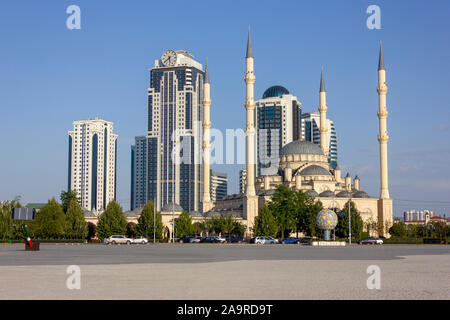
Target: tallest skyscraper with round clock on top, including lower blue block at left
(172,156)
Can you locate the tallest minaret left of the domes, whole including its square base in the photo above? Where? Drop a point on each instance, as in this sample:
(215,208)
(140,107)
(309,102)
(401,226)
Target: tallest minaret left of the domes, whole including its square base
(250,197)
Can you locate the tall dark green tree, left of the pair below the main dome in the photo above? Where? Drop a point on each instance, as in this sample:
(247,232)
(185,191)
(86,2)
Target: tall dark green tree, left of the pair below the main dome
(283,208)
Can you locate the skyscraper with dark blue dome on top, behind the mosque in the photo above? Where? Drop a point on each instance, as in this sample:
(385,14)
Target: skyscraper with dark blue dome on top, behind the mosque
(278,123)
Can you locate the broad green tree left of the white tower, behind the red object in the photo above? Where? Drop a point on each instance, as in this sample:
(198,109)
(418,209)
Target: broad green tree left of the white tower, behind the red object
(50,221)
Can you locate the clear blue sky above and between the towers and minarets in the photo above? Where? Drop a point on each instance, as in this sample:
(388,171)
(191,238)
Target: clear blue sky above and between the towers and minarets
(51,76)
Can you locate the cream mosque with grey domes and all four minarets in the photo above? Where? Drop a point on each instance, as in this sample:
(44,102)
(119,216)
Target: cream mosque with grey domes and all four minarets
(302,165)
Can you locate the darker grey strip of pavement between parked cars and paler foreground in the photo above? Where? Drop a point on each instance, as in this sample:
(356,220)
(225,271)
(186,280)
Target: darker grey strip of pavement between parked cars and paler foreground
(51,254)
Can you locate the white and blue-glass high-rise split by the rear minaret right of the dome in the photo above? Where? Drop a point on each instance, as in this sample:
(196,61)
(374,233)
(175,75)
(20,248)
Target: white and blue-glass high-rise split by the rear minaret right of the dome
(310,132)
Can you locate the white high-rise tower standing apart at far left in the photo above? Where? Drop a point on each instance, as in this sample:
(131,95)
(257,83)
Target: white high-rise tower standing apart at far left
(92,163)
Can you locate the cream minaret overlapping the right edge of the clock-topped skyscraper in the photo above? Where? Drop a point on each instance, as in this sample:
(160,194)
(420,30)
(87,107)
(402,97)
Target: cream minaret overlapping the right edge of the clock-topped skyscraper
(206,199)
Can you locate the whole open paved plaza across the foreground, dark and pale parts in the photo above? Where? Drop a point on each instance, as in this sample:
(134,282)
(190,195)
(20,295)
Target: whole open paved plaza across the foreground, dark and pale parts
(208,271)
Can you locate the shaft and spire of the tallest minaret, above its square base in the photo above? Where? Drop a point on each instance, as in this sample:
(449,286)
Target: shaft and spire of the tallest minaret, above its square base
(250,126)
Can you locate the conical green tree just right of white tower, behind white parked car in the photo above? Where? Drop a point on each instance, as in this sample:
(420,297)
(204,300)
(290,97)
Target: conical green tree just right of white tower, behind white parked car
(112,221)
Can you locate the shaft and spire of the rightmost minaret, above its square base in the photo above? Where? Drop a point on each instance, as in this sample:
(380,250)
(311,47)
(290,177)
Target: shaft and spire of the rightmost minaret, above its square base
(383,136)
